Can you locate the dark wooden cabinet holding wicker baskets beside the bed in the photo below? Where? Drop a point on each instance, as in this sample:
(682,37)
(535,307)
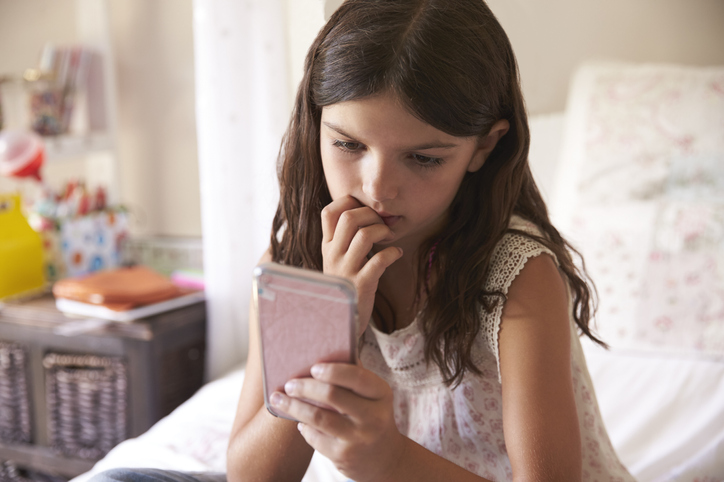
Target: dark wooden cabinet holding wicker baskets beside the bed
(162,361)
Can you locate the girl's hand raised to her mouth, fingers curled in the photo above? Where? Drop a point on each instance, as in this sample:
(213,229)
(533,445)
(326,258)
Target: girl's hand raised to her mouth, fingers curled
(349,231)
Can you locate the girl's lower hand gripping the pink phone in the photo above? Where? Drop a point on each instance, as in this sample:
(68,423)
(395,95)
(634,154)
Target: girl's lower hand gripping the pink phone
(358,432)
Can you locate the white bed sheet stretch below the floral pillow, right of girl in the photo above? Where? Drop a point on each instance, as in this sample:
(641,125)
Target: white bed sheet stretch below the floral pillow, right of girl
(664,413)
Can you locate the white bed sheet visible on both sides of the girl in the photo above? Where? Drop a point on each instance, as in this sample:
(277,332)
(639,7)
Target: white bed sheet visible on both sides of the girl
(664,414)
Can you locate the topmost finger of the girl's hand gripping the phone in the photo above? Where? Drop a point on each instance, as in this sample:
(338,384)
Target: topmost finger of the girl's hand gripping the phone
(355,378)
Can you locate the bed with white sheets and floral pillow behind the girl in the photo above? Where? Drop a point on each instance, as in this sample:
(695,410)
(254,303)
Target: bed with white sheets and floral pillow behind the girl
(634,174)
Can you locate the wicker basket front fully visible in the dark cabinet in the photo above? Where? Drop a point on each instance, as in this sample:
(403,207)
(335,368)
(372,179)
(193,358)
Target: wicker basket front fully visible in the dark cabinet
(87,403)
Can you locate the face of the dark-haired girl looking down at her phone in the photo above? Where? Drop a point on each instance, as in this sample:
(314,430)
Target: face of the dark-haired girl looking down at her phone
(407,171)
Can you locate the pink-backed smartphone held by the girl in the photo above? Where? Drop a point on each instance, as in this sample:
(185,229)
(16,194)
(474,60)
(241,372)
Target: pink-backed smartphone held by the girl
(305,317)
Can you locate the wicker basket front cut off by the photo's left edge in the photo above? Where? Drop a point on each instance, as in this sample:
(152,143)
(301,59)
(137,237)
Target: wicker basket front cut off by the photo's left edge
(14,395)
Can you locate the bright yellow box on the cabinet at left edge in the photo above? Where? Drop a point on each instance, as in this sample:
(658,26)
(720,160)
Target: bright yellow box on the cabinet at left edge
(21,250)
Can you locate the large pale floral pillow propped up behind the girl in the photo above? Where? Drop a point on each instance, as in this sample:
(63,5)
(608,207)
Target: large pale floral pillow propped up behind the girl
(641,194)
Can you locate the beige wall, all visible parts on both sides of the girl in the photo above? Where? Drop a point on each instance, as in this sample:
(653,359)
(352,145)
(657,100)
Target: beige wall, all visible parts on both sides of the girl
(153,47)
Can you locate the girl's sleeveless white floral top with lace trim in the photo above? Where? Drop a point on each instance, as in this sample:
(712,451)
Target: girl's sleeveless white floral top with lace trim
(465,424)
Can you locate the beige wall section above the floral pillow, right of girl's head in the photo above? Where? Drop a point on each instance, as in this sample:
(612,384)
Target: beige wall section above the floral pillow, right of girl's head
(551,37)
